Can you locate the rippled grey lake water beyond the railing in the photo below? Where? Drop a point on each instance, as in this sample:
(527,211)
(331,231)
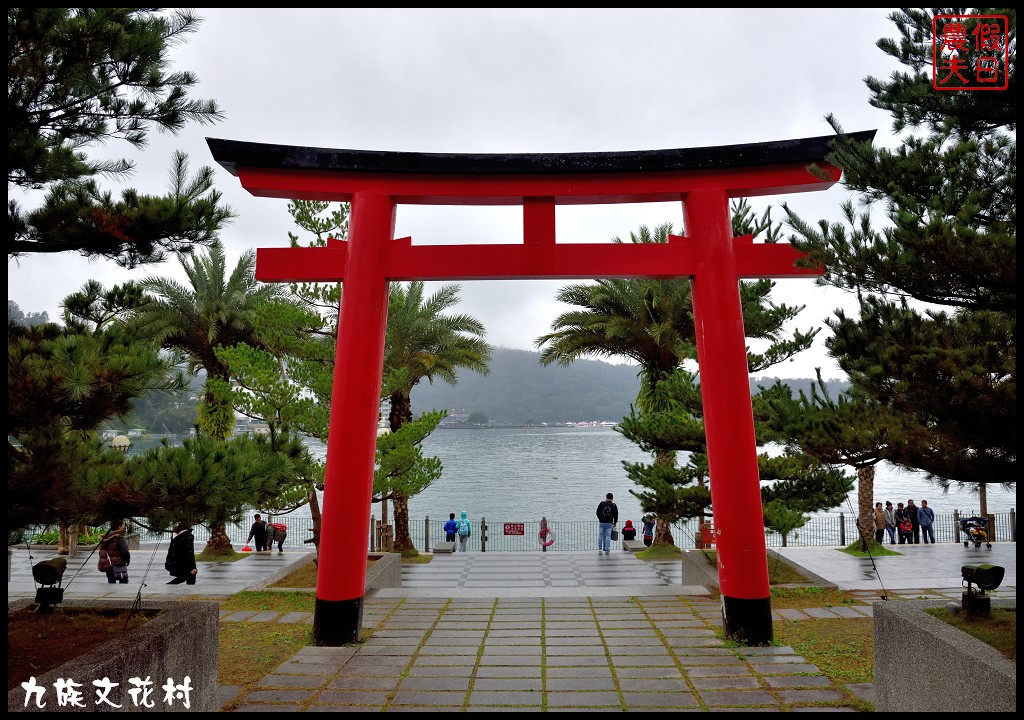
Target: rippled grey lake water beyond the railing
(562,474)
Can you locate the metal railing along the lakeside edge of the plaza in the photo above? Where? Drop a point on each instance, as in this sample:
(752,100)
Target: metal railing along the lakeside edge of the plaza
(491,536)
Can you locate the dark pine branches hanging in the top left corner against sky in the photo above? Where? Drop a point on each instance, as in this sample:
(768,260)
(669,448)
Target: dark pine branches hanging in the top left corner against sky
(78,77)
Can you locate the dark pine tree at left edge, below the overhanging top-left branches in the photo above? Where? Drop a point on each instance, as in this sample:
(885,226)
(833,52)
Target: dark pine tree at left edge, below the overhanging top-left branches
(64,382)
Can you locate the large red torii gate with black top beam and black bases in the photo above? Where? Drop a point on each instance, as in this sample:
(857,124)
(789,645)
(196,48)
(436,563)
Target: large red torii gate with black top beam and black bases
(703,180)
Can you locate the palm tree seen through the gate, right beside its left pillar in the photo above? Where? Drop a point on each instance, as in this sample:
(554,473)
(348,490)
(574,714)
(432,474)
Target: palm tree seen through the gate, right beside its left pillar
(421,344)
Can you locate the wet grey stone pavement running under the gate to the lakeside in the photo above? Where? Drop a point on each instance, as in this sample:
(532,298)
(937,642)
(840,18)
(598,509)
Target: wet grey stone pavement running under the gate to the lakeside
(547,632)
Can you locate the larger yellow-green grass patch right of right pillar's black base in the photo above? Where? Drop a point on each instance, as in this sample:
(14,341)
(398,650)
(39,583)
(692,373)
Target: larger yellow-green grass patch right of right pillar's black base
(842,649)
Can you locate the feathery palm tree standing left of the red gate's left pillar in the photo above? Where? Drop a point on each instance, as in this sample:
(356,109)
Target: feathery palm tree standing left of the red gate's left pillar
(219,310)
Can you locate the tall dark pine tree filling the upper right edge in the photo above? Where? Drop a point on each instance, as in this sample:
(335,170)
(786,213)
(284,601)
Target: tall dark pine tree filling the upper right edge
(933,342)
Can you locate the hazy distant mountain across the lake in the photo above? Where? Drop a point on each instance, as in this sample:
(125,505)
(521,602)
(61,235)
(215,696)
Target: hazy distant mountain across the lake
(520,391)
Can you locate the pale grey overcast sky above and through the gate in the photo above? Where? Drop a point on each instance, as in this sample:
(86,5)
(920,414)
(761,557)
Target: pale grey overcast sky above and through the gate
(522,80)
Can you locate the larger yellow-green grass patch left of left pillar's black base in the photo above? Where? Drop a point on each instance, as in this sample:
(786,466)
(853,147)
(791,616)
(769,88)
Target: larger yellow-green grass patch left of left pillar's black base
(250,651)
